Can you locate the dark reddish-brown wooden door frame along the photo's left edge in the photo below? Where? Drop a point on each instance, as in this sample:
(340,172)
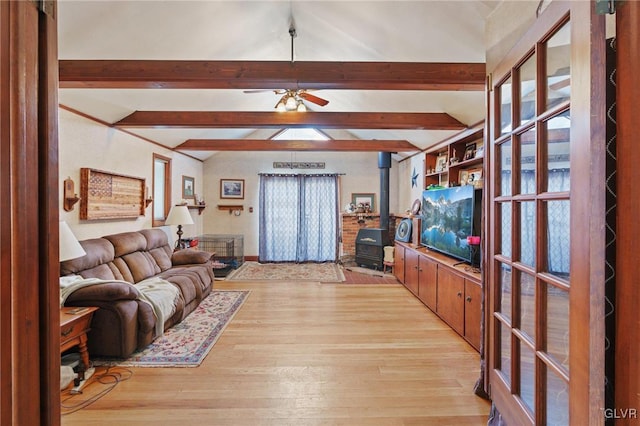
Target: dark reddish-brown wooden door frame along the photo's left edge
(29,312)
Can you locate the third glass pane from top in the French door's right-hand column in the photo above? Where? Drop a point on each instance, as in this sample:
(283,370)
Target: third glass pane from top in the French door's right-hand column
(558,234)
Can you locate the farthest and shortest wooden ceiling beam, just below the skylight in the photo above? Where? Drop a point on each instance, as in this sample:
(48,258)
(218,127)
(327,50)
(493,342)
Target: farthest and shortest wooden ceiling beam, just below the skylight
(348,145)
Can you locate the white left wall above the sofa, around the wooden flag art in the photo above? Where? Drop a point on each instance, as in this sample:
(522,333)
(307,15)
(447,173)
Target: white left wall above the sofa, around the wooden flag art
(86,143)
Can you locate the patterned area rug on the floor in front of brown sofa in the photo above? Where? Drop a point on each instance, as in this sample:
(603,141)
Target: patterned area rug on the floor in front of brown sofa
(187,344)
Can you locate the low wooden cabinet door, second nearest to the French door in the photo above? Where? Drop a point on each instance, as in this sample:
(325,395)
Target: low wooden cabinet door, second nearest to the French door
(450,299)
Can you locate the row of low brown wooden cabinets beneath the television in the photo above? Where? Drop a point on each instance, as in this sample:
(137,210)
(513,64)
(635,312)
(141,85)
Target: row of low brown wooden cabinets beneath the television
(451,289)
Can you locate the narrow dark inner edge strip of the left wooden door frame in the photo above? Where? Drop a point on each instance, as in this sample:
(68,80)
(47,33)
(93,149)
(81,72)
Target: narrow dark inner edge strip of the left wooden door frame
(48,211)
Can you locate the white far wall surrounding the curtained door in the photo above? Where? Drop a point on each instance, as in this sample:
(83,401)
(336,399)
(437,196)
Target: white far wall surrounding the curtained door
(361,176)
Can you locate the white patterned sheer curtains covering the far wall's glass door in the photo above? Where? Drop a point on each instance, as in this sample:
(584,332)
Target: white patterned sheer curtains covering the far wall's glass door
(298,218)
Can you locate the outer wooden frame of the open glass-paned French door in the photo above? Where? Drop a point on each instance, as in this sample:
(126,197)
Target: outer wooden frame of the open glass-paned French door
(588,106)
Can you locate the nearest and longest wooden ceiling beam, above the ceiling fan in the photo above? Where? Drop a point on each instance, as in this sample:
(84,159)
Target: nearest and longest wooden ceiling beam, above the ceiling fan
(159,74)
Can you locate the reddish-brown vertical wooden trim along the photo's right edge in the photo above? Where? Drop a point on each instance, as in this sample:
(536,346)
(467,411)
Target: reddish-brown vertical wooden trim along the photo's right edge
(627,360)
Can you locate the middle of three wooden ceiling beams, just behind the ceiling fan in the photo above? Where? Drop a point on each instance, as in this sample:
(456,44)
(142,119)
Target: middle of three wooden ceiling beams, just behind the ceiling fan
(321,120)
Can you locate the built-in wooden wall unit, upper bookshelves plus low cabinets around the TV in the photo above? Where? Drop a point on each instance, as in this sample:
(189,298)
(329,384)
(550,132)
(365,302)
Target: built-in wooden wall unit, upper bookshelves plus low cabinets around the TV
(450,288)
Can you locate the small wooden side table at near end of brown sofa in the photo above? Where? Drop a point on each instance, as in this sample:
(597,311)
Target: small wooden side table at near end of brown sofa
(74,324)
